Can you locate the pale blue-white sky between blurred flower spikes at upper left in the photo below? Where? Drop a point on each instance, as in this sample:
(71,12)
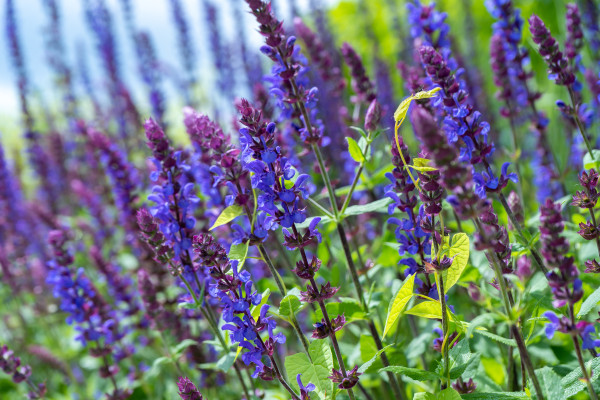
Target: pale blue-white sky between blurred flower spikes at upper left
(151,15)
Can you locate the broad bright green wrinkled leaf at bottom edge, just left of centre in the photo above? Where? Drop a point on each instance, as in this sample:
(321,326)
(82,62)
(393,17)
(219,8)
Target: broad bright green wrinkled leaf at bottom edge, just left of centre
(315,372)
